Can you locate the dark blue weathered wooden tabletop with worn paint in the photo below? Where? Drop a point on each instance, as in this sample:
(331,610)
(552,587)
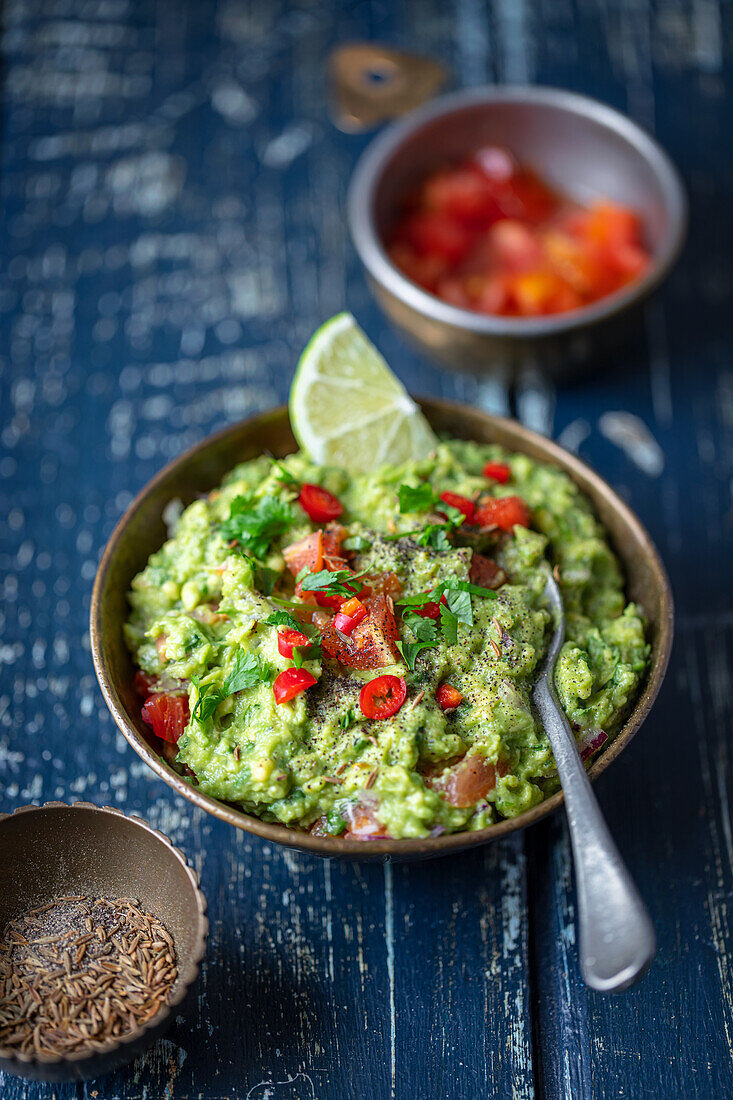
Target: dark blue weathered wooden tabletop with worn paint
(172,232)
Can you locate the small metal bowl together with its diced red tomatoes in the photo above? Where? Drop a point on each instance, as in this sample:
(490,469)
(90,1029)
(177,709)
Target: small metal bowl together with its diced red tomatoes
(507,227)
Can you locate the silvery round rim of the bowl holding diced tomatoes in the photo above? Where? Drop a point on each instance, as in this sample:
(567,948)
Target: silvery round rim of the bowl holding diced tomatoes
(374,256)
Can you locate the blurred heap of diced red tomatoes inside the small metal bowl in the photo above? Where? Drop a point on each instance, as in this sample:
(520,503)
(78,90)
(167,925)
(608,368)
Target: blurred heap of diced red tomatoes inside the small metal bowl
(489,235)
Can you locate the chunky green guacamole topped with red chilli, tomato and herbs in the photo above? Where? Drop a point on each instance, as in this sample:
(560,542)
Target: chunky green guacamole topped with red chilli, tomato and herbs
(355,654)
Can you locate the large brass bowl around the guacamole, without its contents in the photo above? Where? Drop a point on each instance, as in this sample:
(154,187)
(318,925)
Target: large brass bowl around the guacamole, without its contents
(141,532)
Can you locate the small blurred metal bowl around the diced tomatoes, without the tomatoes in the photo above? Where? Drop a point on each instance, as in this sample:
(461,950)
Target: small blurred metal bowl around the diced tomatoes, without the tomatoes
(579,147)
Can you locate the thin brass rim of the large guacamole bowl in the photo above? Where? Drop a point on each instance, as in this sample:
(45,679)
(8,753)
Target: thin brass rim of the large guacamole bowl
(400,849)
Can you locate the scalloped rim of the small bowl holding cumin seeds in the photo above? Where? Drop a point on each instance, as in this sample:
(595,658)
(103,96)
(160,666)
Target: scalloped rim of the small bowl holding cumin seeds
(189,978)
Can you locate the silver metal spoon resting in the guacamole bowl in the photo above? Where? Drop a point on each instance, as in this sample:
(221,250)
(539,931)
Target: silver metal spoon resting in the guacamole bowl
(617,939)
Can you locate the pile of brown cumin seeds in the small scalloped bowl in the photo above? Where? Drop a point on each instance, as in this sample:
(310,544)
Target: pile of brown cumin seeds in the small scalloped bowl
(81,972)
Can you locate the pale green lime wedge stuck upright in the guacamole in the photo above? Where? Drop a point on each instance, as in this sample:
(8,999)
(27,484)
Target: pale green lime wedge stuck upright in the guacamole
(347,408)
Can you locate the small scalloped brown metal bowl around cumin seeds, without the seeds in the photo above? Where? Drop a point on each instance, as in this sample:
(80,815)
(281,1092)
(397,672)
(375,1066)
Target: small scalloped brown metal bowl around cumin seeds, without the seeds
(58,850)
